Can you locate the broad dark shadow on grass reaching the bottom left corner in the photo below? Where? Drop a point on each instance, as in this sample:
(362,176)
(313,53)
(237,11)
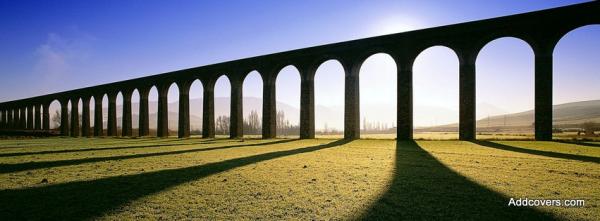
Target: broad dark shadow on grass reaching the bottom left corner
(91,199)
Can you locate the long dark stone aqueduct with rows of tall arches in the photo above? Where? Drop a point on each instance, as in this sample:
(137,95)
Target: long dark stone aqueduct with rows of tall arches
(541,30)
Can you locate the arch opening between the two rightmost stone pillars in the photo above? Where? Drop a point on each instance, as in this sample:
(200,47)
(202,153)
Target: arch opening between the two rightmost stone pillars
(495,102)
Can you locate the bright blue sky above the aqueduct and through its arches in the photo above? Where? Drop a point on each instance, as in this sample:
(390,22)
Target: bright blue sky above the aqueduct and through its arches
(52,46)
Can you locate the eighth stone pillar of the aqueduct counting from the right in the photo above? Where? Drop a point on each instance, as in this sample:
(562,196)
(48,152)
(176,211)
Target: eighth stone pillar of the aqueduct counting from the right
(208,112)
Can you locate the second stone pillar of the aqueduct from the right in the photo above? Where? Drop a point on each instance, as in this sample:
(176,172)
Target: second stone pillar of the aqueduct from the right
(467,98)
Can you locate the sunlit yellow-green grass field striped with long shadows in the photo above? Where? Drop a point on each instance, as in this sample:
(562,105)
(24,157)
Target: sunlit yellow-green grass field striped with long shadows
(125,179)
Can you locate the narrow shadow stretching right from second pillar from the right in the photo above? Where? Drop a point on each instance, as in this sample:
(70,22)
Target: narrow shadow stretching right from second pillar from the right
(538,152)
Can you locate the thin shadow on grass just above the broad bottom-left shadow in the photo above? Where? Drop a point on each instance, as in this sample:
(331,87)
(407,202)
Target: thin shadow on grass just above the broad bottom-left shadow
(11,168)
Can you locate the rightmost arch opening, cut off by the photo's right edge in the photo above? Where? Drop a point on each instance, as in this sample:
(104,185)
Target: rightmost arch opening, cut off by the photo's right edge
(575,80)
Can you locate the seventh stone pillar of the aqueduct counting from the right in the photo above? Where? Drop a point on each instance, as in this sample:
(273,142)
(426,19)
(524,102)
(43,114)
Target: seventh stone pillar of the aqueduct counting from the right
(236,120)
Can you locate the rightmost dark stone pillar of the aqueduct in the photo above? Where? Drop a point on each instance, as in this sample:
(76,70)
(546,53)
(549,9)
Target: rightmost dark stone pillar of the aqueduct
(543,95)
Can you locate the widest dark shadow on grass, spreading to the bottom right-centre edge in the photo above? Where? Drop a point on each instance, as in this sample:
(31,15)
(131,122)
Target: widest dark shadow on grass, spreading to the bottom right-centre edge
(423,188)
